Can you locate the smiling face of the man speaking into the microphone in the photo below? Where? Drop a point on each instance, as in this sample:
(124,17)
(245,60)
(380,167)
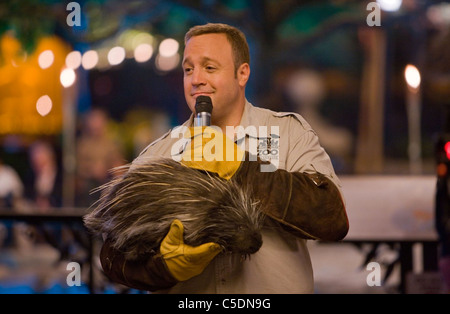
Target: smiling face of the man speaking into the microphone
(209,70)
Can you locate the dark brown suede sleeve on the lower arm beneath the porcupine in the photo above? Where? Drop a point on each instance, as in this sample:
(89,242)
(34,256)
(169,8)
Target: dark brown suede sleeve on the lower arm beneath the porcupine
(151,274)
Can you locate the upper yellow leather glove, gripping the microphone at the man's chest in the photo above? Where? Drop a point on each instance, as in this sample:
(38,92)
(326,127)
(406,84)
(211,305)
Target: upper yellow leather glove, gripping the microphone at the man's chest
(212,151)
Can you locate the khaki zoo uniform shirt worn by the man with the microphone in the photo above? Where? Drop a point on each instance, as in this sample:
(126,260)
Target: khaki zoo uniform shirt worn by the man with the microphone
(282,264)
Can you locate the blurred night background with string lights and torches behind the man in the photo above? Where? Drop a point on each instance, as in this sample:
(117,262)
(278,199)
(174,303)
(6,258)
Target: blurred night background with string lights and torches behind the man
(86,85)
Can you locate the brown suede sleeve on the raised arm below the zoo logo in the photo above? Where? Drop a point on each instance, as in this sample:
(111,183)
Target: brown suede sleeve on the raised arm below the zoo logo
(308,205)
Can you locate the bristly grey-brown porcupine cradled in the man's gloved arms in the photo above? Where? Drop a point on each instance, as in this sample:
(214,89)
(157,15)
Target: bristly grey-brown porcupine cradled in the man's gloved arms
(137,208)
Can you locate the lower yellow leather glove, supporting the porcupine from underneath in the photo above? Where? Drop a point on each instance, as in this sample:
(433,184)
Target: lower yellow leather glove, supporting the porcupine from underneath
(182,260)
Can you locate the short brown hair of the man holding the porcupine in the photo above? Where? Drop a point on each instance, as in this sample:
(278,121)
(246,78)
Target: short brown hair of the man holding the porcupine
(236,38)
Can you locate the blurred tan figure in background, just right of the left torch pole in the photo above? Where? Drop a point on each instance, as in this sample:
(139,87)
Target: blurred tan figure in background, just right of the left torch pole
(97,154)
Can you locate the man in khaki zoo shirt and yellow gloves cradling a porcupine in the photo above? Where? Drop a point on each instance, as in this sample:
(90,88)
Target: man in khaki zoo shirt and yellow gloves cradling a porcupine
(302,196)
